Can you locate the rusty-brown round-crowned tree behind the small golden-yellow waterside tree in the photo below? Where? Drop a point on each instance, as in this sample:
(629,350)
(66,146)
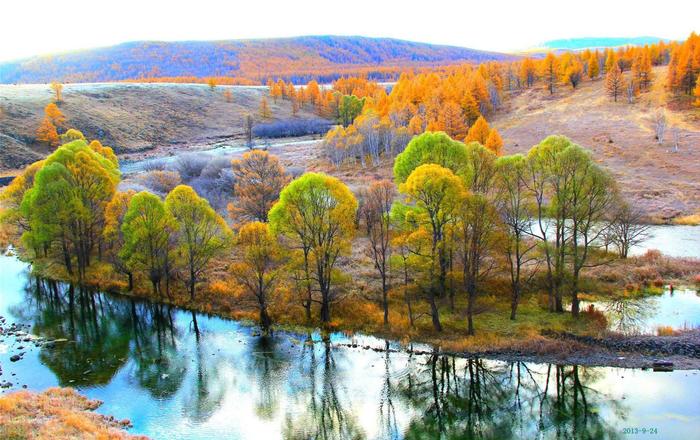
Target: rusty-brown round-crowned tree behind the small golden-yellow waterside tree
(259,179)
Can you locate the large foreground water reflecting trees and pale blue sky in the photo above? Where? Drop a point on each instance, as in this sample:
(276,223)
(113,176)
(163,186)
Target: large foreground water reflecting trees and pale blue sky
(181,375)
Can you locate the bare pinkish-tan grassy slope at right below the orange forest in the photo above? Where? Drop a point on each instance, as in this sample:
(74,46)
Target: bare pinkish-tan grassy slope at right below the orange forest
(663,183)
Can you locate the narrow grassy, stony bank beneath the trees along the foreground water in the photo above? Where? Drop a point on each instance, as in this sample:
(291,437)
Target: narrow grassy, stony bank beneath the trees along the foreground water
(537,336)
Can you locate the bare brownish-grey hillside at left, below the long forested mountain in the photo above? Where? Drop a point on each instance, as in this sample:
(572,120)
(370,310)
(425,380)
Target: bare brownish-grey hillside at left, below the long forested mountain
(129,117)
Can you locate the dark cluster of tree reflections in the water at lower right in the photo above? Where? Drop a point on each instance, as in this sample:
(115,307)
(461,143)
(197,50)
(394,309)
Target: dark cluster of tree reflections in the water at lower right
(474,399)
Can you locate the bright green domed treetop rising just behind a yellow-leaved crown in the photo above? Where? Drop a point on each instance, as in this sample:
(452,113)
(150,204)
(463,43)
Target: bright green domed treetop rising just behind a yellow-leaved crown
(429,147)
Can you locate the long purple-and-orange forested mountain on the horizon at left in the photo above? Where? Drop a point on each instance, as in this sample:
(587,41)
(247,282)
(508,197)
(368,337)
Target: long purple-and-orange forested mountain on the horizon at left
(298,59)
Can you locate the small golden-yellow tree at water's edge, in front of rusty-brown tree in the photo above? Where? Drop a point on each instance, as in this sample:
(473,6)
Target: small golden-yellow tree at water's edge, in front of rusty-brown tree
(258,266)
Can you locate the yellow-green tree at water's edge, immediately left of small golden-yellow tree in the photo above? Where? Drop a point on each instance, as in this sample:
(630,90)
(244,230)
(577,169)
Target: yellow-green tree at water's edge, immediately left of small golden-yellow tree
(201,233)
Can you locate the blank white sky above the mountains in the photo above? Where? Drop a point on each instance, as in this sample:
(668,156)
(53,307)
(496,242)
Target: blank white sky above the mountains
(32,27)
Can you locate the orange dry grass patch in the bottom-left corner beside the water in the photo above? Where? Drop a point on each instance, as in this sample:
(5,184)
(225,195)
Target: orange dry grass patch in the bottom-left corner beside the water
(55,414)
